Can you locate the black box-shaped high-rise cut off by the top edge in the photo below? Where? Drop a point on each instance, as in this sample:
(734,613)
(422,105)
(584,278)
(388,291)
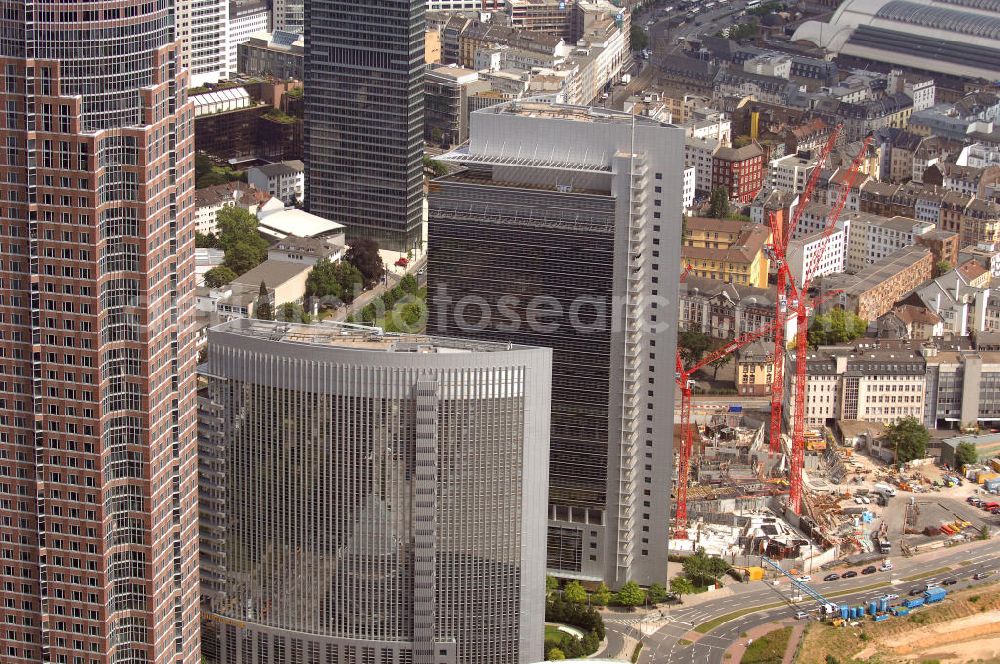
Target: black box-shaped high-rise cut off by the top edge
(364,117)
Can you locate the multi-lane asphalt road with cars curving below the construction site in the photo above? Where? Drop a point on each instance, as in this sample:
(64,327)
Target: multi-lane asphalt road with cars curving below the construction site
(662,646)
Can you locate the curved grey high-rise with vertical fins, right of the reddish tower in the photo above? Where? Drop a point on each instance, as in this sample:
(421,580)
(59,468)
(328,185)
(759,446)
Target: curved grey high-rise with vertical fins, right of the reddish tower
(372,498)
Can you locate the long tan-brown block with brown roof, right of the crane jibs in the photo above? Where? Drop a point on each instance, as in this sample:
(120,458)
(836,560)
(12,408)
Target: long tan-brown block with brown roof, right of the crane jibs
(874,290)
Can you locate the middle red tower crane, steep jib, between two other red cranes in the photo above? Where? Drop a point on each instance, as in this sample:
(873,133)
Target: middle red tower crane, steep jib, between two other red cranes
(781,232)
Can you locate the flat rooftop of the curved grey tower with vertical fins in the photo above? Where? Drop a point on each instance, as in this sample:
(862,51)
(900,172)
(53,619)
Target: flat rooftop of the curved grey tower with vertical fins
(353,336)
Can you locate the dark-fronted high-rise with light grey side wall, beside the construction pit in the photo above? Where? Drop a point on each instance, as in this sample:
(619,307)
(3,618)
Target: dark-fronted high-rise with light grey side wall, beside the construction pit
(562,229)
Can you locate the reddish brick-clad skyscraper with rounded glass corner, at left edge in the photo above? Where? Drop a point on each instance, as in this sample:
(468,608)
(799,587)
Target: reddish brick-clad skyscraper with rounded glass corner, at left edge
(98,471)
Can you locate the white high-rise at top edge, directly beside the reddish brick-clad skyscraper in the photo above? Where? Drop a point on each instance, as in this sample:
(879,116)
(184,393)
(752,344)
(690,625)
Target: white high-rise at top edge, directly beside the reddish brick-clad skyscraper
(201,29)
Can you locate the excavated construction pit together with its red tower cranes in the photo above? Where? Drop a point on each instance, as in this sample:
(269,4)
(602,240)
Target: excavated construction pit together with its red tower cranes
(757,483)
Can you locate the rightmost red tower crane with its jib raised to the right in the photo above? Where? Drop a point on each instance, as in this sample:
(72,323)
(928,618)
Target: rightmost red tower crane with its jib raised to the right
(801,334)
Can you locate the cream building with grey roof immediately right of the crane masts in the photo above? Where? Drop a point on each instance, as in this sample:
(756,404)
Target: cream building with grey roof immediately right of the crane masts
(861,382)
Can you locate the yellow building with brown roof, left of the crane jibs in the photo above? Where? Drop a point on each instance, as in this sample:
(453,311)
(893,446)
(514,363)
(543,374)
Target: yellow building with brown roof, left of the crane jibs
(726,250)
